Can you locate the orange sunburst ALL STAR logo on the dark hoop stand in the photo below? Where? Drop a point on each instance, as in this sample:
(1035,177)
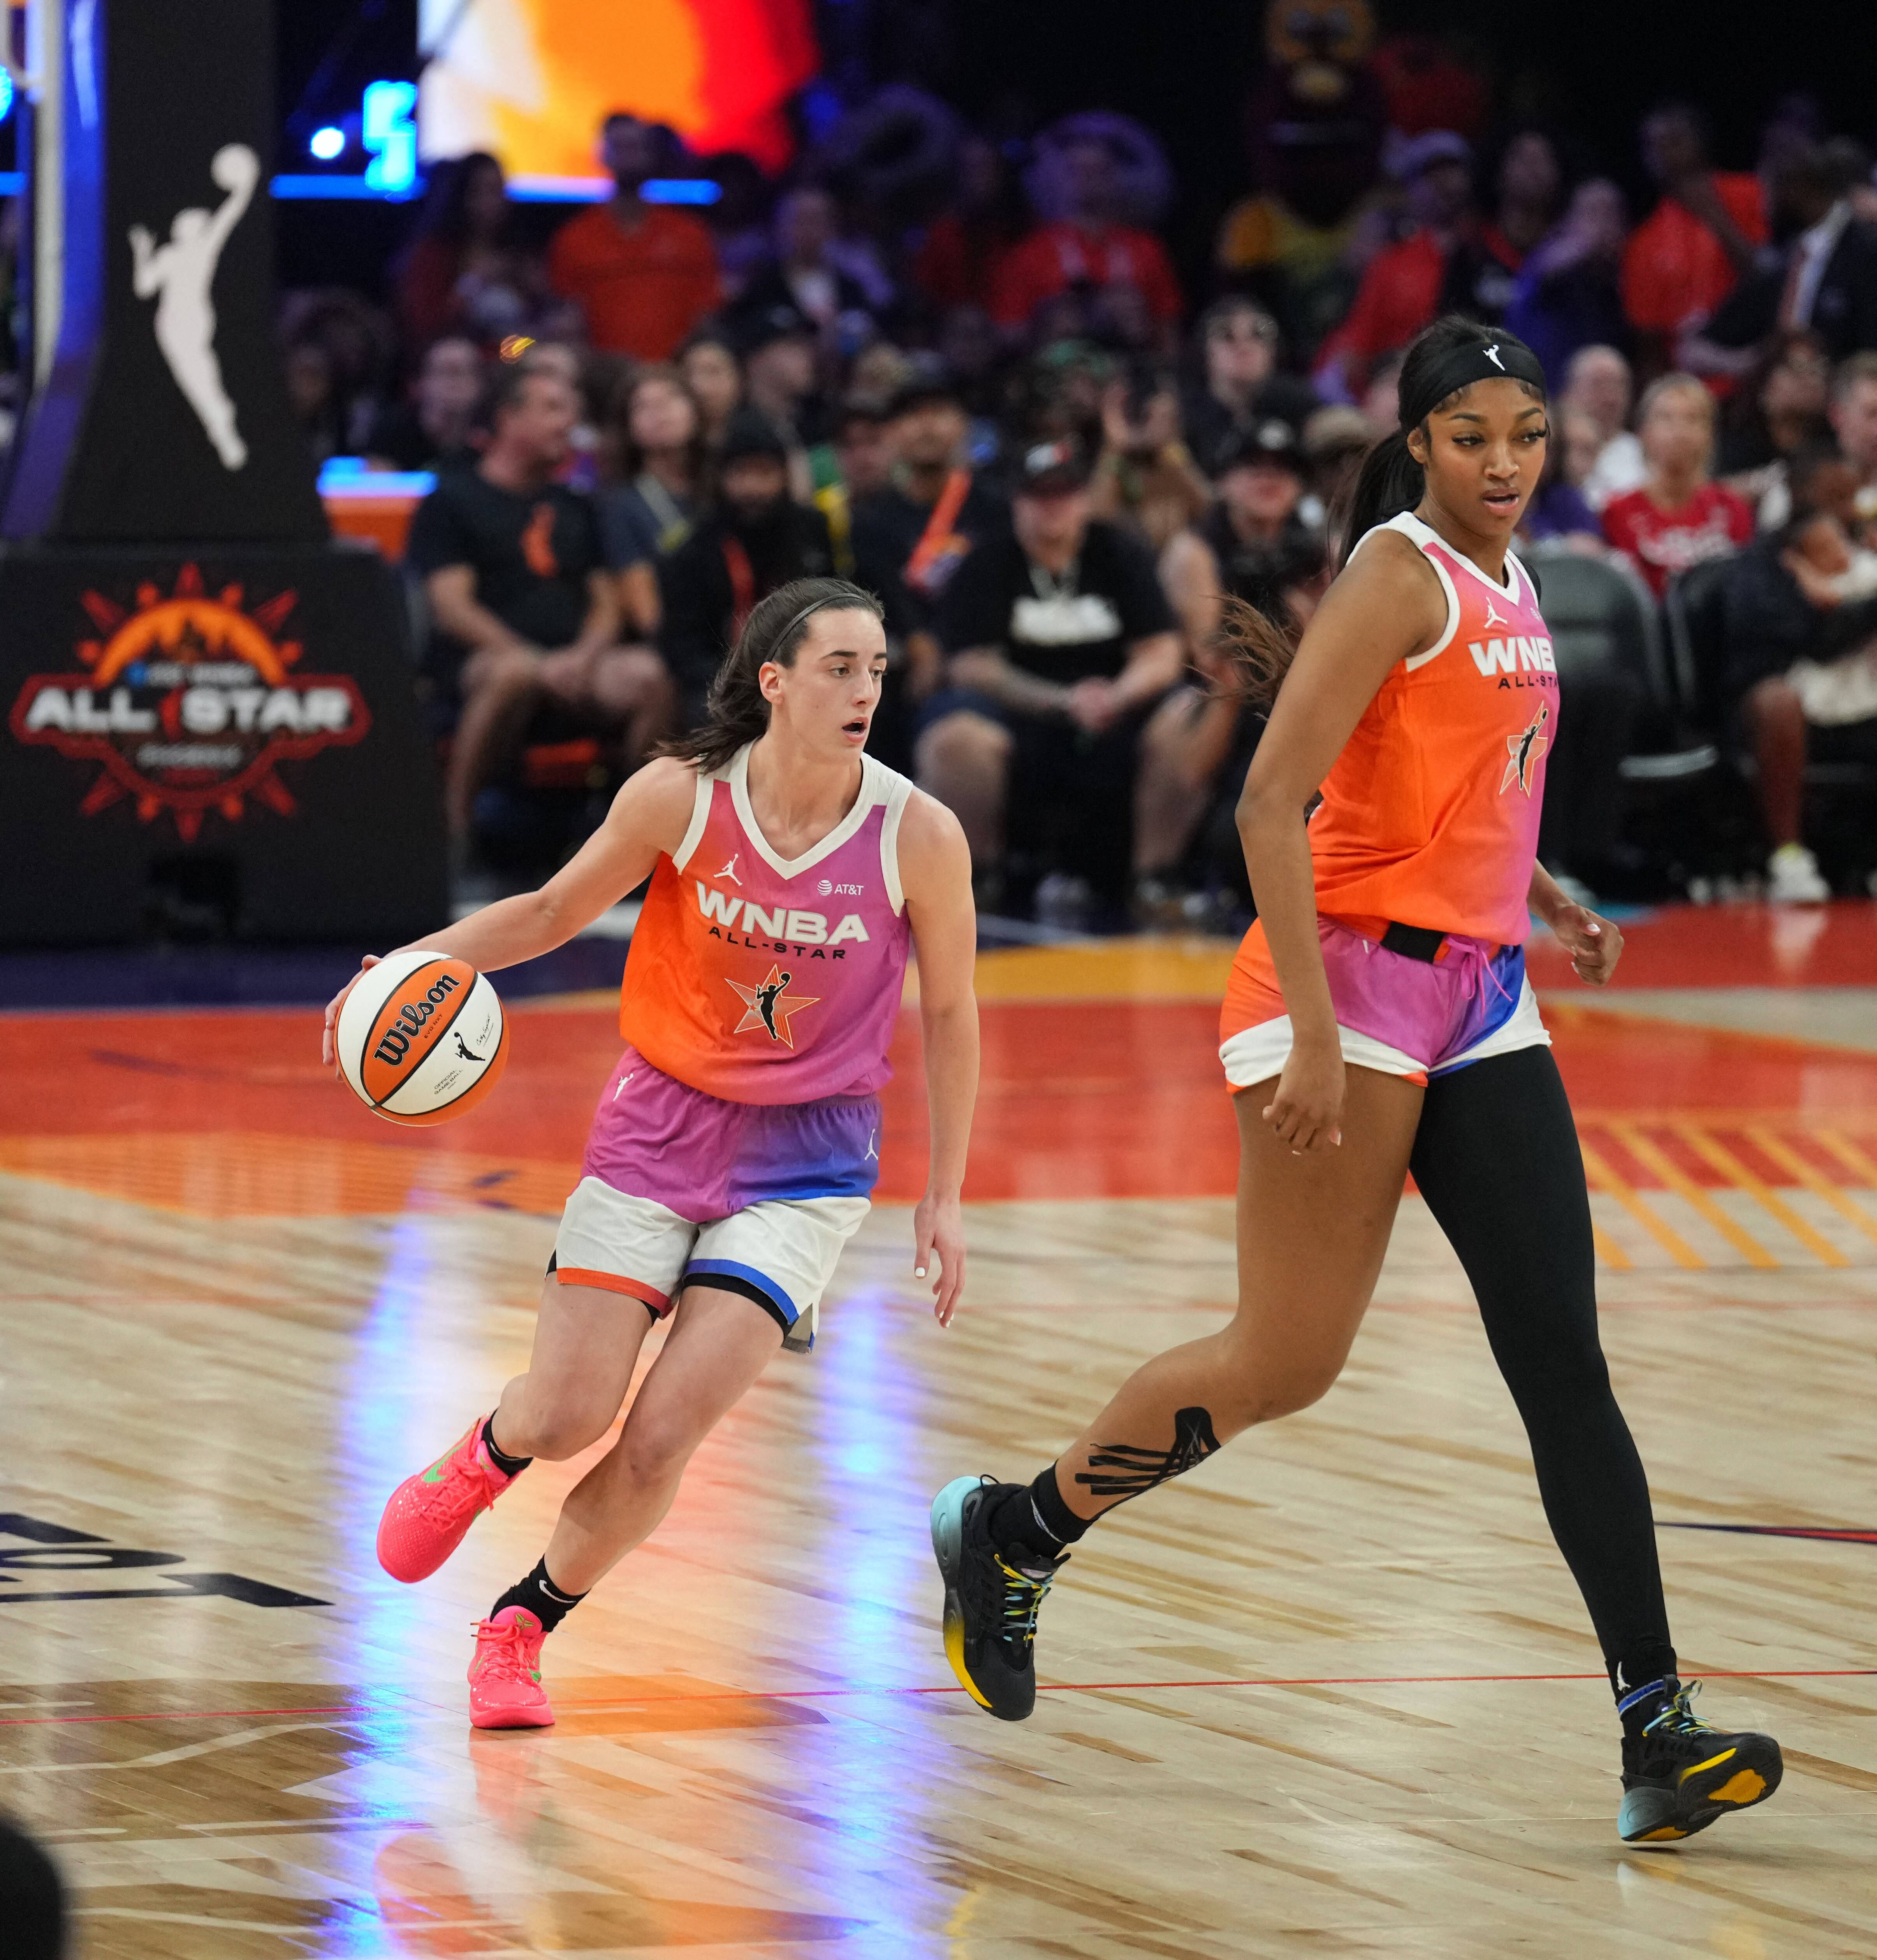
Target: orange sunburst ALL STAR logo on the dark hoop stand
(189,705)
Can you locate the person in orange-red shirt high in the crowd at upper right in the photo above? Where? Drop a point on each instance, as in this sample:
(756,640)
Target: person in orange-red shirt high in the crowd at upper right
(1688,256)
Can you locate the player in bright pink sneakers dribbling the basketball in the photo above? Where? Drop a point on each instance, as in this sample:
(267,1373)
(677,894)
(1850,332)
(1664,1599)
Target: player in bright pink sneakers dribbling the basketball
(736,1144)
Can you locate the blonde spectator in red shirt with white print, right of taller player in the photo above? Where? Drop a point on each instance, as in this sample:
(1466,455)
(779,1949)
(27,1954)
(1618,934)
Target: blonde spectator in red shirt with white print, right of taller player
(1680,516)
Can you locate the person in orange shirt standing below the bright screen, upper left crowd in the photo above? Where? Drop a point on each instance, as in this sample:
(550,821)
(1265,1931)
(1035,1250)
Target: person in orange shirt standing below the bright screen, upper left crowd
(642,273)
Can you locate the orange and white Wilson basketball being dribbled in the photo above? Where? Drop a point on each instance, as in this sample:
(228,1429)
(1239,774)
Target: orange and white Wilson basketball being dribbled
(423,1038)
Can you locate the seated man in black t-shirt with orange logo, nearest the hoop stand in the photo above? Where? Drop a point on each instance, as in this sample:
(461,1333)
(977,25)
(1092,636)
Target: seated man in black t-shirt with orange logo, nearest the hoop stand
(523,601)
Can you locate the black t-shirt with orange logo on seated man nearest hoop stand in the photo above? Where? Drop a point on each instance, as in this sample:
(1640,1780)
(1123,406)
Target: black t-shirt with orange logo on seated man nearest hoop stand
(531,552)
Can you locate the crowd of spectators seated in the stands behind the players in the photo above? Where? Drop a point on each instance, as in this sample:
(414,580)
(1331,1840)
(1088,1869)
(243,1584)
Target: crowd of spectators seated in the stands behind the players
(986,395)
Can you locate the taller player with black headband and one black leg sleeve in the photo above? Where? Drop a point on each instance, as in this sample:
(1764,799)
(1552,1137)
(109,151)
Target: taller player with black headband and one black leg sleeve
(1380,1022)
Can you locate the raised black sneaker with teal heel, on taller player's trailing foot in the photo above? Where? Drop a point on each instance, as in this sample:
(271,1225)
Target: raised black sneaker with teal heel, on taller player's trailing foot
(989,1602)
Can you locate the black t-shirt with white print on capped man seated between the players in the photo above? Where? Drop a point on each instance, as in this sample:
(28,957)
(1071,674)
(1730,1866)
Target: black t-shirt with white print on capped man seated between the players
(1056,628)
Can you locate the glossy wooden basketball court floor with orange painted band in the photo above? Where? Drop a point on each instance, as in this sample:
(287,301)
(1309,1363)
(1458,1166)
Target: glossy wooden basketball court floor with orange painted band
(1331,1696)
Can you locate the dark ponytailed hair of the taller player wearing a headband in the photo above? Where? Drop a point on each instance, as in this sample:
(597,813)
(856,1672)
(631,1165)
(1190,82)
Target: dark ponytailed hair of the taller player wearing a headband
(1388,485)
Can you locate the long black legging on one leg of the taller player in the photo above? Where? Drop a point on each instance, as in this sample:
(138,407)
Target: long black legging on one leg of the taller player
(1499,1165)
